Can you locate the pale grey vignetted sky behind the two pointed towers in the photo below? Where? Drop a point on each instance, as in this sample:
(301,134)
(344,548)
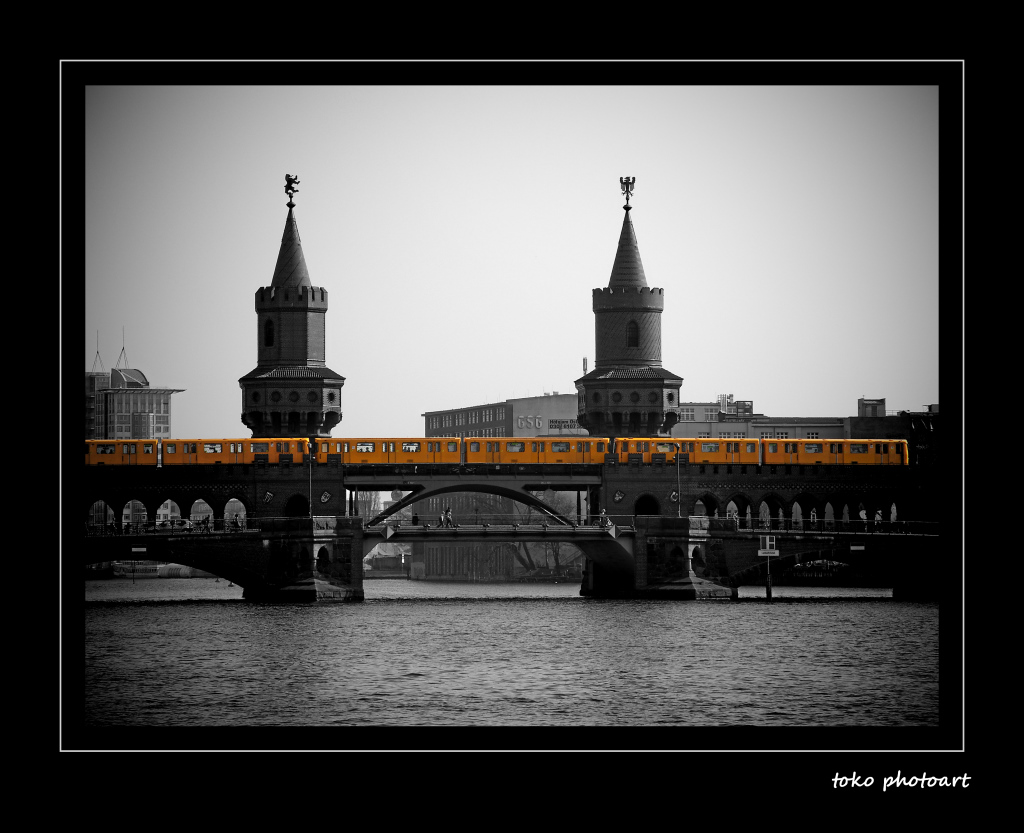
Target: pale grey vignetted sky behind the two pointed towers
(460,231)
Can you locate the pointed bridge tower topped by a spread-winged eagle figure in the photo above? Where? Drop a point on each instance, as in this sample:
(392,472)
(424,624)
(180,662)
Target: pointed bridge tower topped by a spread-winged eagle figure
(628,393)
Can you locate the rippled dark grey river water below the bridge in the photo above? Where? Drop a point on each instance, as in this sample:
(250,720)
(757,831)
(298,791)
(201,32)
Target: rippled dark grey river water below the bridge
(192,653)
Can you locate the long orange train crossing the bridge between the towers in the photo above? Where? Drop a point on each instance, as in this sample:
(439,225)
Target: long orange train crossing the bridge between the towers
(498,451)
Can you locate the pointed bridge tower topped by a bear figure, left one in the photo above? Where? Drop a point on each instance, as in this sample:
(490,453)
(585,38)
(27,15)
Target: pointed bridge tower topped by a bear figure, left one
(291,393)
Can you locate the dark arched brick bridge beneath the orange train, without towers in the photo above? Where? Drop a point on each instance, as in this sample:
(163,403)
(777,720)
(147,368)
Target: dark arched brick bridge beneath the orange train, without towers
(653,550)
